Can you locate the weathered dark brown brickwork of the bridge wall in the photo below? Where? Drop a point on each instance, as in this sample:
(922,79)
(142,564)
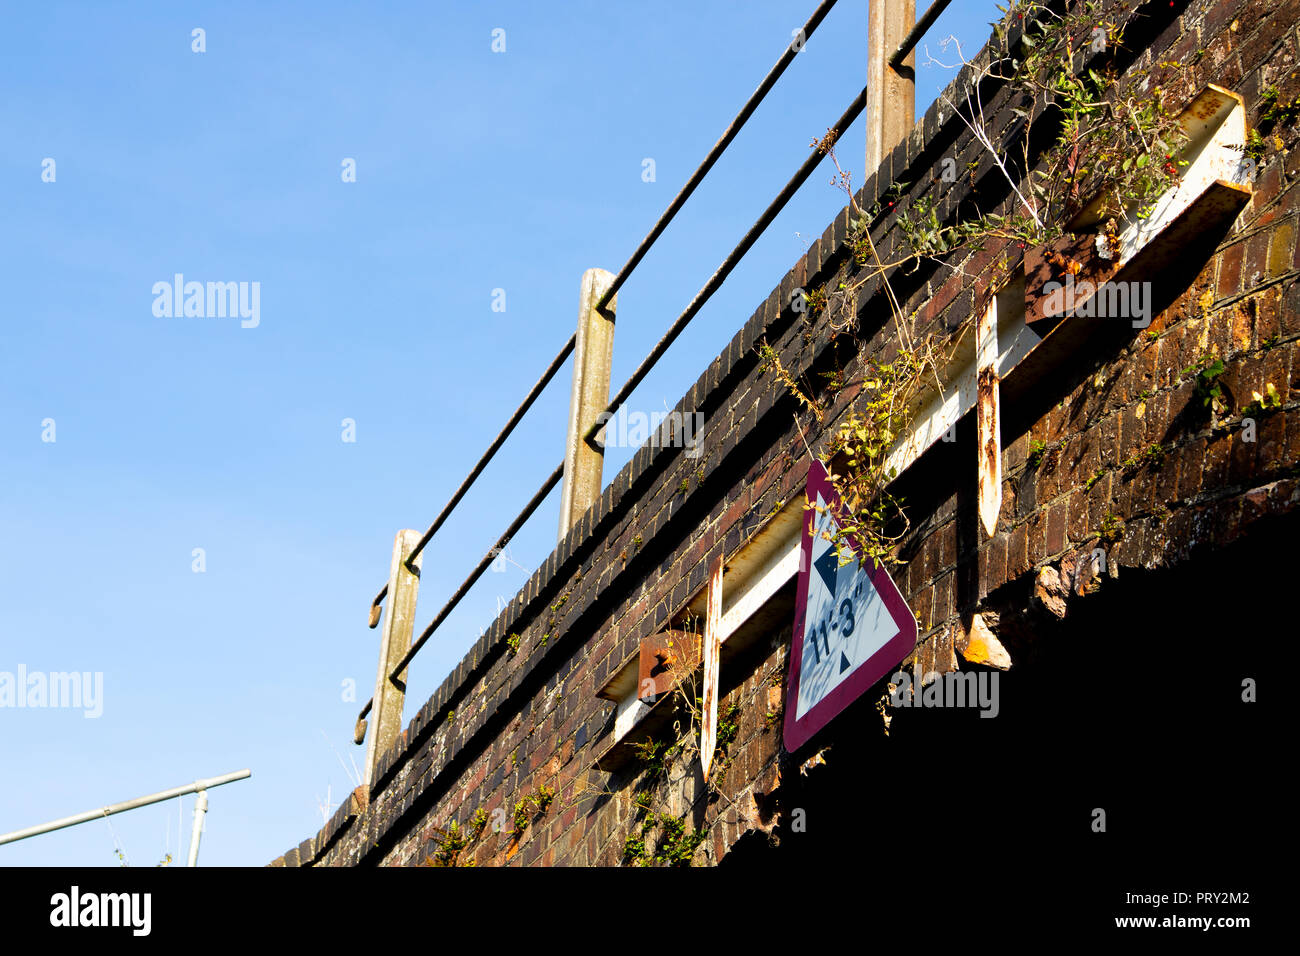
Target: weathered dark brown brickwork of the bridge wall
(510,721)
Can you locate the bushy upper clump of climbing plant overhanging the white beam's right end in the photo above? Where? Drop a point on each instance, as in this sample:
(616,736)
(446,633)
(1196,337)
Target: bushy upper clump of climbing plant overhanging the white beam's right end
(1117,144)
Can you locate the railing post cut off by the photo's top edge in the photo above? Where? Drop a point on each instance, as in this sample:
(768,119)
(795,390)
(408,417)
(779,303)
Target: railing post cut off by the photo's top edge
(891,94)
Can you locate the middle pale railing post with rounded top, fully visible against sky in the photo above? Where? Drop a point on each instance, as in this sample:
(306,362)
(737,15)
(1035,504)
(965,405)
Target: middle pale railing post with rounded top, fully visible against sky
(592,356)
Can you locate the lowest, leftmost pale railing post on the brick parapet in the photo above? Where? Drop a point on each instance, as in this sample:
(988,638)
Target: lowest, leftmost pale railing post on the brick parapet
(396,641)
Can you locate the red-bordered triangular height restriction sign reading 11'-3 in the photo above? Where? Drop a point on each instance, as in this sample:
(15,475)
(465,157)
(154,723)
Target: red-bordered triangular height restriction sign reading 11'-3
(852,626)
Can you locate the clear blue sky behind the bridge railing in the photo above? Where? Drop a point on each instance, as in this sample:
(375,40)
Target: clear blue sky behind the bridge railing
(475,171)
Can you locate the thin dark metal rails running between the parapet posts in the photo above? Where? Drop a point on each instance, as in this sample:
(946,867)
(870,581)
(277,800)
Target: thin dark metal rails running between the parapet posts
(701,299)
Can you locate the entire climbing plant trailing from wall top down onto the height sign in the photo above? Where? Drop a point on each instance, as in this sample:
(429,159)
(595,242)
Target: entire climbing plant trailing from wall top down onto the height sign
(1115,150)
